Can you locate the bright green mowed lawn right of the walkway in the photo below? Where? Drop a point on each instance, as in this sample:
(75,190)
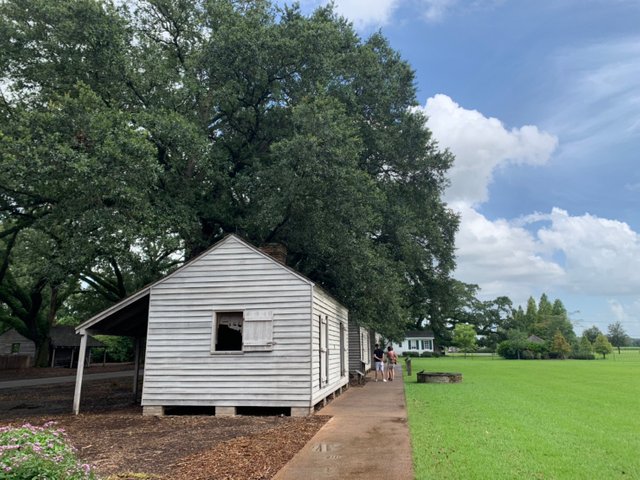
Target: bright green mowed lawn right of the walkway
(533,419)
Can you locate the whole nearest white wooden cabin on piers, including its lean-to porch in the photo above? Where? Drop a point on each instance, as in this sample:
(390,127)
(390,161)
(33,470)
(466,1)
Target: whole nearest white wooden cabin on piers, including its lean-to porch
(234,328)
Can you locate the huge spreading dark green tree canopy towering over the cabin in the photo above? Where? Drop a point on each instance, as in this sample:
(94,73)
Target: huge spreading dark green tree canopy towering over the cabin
(167,125)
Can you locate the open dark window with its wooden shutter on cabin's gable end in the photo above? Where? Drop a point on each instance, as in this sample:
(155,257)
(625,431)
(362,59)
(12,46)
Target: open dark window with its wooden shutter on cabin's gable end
(250,330)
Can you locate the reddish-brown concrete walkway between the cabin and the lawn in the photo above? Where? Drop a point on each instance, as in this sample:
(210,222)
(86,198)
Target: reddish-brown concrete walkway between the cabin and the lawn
(368,437)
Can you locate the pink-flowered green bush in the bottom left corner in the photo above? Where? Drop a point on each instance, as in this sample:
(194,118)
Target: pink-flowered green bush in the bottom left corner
(39,453)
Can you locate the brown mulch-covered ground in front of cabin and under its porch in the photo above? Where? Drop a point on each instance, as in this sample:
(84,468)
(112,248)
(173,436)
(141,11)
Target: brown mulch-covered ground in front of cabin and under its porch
(112,435)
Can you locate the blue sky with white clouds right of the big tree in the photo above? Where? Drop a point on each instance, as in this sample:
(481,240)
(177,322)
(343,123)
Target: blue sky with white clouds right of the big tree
(539,101)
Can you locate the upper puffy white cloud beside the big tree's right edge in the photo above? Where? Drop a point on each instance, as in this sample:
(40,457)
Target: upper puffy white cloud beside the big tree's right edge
(480,145)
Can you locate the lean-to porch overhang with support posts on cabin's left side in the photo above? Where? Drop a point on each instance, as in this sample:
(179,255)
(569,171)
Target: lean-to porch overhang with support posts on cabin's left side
(128,318)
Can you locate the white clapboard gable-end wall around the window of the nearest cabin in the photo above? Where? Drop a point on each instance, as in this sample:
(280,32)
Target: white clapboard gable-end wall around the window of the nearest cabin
(180,368)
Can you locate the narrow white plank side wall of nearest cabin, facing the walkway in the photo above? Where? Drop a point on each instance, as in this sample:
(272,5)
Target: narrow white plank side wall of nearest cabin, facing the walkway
(337,374)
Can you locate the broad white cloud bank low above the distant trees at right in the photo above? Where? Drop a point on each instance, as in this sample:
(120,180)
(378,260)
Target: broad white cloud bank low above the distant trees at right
(599,257)
